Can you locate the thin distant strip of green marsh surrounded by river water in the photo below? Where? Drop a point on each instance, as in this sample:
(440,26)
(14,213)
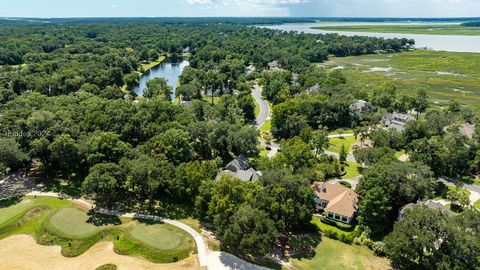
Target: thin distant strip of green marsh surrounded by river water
(425,29)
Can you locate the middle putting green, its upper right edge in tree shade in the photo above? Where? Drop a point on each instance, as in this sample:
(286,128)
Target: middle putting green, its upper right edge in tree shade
(72,223)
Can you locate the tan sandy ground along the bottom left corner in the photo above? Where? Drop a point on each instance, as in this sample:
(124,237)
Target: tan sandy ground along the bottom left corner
(22,252)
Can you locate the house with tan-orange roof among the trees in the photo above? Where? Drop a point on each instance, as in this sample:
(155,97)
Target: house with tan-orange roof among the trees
(338,202)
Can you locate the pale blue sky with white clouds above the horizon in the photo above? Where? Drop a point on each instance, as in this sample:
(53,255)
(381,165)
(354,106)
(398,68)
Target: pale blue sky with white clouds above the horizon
(239,8)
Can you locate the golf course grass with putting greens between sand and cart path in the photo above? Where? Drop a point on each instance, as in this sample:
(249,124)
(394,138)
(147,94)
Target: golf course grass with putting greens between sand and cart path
(58,222)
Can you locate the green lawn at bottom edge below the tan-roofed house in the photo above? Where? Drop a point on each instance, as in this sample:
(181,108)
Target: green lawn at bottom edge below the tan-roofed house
(335,255)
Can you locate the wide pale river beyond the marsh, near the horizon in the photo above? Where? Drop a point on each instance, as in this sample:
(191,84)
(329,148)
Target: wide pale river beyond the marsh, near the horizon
(434,42)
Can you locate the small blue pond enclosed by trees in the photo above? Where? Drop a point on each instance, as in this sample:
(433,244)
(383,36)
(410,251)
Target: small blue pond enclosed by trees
(170,70)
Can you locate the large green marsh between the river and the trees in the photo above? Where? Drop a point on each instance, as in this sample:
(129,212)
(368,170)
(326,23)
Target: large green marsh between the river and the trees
(445,75)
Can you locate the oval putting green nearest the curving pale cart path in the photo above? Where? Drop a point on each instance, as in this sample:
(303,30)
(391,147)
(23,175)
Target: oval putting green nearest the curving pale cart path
(162,236)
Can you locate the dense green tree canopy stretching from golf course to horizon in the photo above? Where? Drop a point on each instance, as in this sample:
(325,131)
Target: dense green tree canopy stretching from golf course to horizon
(67,113)
